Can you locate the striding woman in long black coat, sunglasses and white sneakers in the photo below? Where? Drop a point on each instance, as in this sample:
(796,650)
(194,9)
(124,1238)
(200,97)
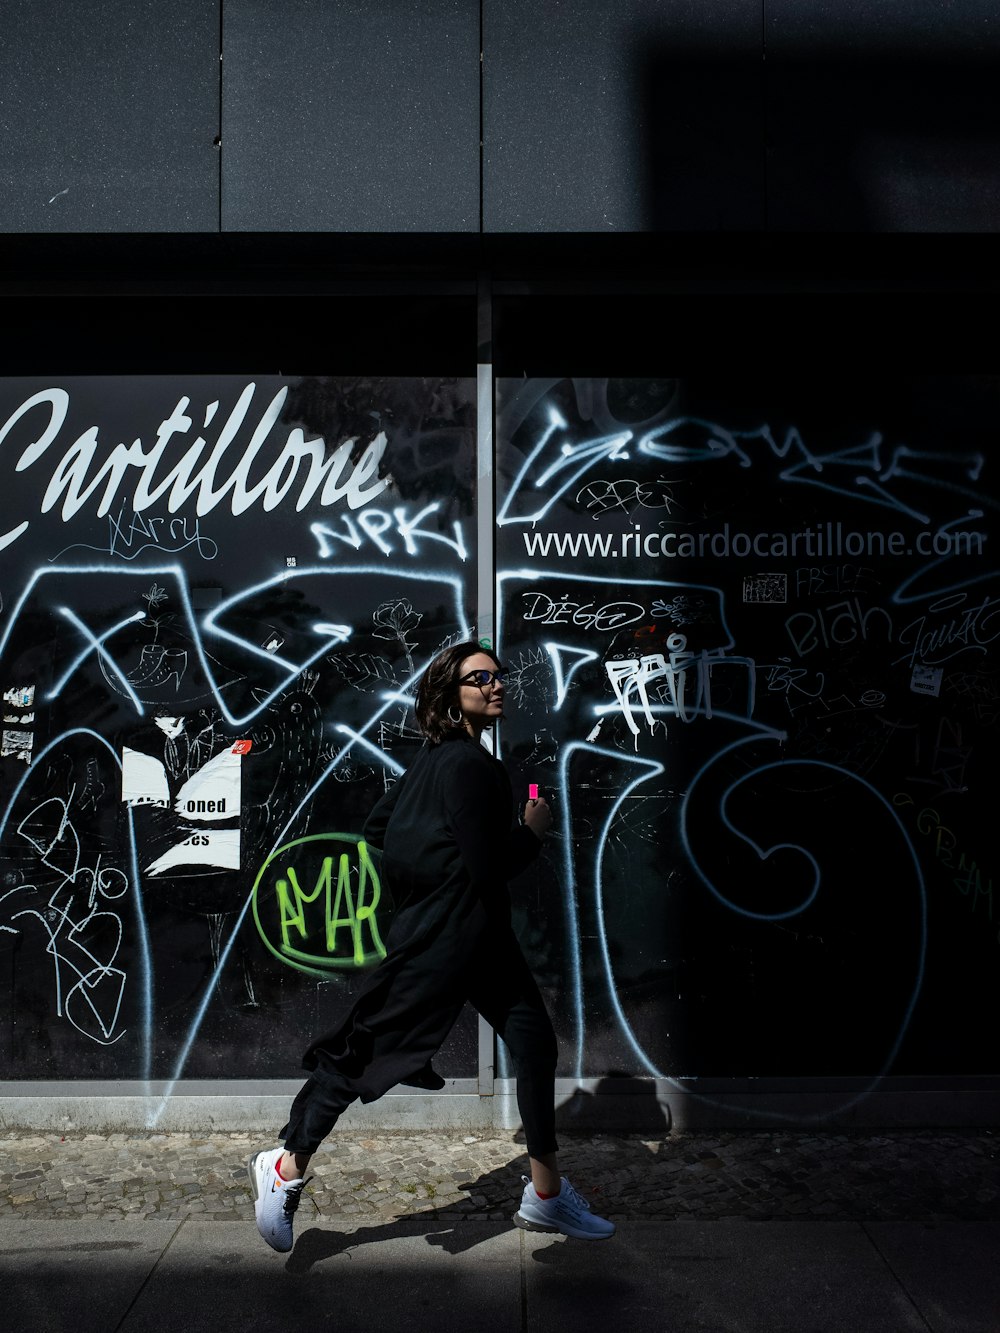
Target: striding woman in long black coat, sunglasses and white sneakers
(450,846)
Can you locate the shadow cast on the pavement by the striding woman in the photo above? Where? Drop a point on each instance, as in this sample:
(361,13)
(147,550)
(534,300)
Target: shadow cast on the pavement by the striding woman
(603,1132)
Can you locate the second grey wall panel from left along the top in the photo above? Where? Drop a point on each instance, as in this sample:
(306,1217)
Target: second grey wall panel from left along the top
(351,118)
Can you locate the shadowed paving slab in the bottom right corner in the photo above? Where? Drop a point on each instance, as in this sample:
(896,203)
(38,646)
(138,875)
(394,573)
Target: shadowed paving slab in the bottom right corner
(951,1271)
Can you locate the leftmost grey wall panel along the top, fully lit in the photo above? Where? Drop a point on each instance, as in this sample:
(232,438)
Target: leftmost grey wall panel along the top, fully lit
(109,117)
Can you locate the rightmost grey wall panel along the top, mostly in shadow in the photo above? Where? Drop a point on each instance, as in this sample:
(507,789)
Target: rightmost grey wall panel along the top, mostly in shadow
(883,119)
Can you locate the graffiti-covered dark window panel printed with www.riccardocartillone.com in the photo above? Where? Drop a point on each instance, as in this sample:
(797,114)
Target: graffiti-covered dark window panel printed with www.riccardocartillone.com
(754,630)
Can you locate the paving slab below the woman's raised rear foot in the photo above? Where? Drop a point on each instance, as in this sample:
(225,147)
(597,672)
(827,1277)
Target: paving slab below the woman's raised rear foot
(395,1276)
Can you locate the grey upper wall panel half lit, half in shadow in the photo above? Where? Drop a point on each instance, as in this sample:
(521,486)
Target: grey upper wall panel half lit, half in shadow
(637,117)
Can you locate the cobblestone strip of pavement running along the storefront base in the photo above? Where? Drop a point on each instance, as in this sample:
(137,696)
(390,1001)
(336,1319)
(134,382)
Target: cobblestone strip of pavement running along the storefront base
(927,1176)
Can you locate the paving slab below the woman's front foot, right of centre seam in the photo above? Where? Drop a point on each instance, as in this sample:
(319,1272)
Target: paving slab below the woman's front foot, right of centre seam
(727,1276)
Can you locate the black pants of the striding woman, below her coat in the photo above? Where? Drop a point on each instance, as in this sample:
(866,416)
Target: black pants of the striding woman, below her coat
(506,994)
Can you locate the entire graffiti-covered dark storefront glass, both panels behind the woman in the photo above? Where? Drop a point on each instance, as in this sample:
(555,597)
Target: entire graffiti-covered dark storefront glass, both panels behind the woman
(753,631)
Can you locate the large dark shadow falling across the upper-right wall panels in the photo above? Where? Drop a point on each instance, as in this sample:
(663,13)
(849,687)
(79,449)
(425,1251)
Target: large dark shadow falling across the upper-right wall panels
(841,143)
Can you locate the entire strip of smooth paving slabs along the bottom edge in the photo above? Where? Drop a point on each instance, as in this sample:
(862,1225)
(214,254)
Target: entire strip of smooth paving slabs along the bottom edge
(726,1276)
